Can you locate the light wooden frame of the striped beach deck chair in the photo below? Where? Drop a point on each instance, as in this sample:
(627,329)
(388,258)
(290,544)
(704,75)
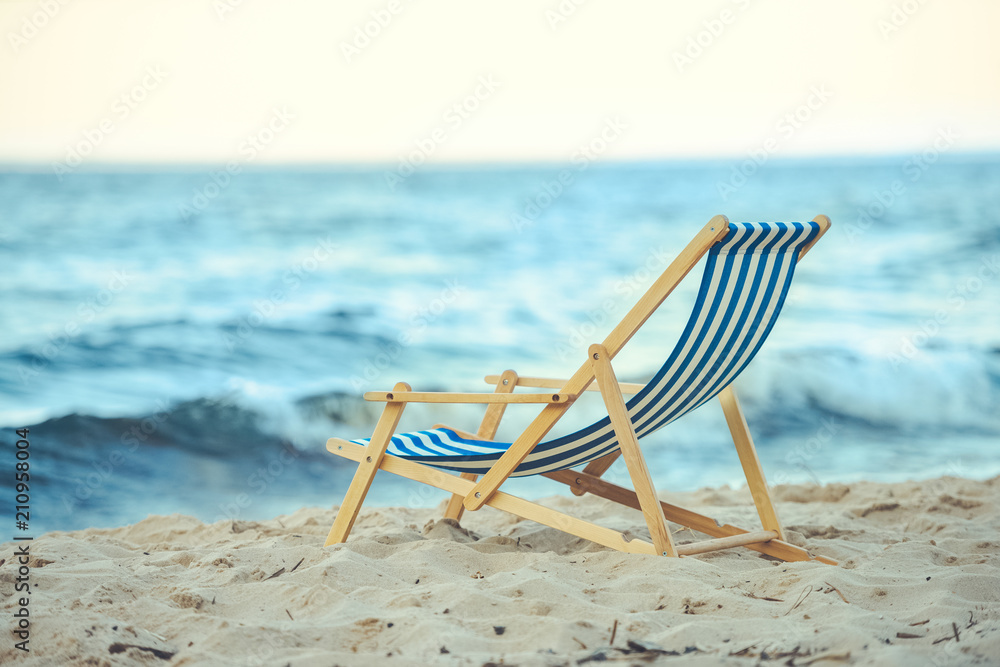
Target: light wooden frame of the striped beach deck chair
(468,493)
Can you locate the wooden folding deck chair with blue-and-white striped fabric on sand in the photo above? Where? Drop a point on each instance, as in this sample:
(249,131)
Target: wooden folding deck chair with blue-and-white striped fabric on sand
(748,270)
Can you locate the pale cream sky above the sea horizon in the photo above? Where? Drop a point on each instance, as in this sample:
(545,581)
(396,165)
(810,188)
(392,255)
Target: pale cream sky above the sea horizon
(190,81)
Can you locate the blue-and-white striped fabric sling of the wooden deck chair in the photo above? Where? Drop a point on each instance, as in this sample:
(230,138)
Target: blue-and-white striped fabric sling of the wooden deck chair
(746,278)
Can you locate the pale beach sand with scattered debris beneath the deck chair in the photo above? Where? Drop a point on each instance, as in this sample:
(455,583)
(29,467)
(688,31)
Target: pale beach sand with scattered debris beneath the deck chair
(918,585)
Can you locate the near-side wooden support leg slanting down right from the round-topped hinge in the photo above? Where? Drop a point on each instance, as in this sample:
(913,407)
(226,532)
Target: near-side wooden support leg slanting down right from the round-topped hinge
(641,480)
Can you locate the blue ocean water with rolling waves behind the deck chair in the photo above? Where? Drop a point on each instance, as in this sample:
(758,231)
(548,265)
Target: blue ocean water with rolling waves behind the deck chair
(186,341)
